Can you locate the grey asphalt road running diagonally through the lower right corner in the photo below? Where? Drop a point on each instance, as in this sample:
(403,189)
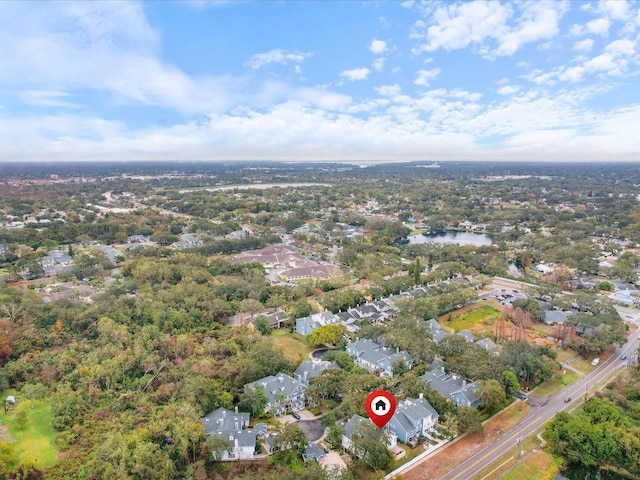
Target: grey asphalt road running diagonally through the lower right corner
(542,412)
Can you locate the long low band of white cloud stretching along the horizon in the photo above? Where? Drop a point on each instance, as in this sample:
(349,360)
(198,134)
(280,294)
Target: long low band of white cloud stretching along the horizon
(439,124)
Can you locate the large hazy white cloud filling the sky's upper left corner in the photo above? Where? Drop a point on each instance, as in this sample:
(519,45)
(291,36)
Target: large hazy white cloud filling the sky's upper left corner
(100,46)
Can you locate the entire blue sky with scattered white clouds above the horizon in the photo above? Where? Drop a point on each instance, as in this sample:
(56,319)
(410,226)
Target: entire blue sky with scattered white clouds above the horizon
(320,80)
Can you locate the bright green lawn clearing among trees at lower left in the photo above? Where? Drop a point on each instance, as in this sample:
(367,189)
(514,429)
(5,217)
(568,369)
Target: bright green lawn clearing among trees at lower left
(36,442)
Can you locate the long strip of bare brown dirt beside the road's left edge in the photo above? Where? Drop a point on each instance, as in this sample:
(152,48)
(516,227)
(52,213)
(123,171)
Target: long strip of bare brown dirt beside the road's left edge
(457,452)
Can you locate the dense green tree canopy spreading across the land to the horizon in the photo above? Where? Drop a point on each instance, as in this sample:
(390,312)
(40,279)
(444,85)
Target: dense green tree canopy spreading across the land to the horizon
(167,333)
